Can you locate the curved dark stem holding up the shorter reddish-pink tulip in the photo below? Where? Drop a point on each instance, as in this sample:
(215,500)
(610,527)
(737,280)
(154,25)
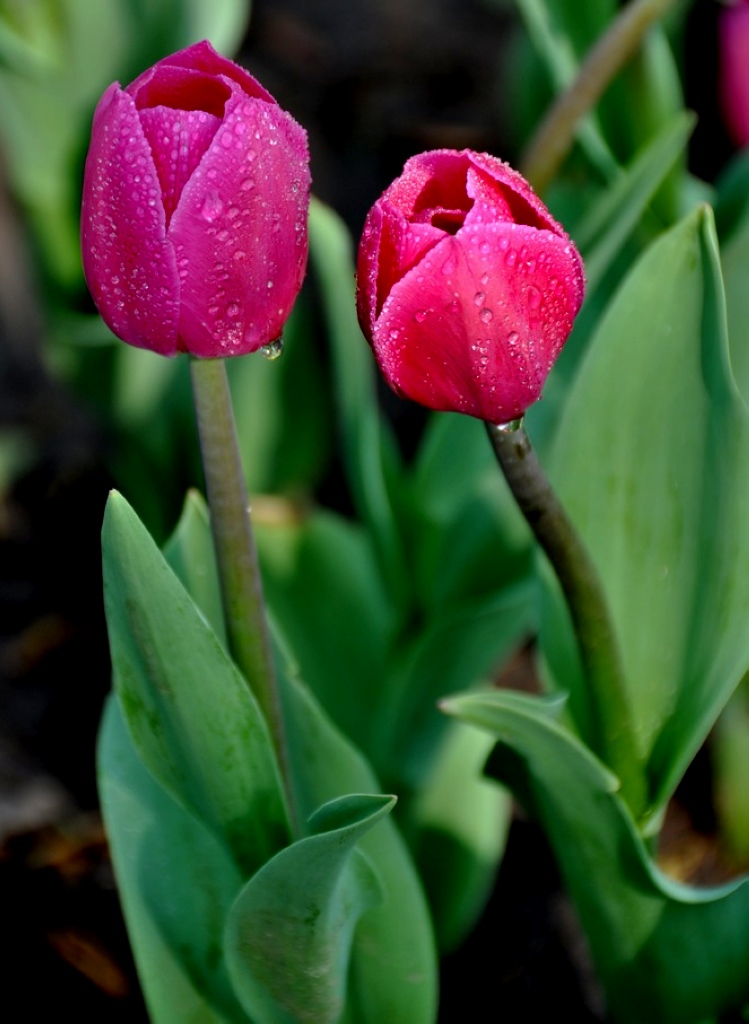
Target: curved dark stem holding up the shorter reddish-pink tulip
(614,740)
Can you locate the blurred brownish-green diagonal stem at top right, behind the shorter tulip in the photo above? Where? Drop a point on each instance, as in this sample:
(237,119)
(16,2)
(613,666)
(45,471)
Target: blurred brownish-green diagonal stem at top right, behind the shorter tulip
(556,135)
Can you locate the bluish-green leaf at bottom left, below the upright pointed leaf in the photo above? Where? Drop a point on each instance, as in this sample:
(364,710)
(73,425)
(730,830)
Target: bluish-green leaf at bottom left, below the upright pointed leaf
(177,884)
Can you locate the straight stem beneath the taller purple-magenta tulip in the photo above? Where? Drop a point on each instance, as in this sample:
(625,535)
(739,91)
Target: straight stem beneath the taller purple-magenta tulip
(234,543)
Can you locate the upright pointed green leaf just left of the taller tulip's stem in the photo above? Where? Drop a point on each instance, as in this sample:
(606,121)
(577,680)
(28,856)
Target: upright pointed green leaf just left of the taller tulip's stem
(193,719)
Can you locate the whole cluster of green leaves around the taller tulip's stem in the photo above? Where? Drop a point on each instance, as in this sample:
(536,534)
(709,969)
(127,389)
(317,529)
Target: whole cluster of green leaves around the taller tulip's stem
(191,784)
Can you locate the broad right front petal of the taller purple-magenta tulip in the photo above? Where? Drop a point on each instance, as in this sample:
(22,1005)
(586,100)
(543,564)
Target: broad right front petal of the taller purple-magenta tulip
(239,232)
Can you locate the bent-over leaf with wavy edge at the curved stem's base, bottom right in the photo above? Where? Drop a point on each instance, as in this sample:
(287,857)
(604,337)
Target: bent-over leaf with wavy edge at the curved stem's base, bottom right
(648,933)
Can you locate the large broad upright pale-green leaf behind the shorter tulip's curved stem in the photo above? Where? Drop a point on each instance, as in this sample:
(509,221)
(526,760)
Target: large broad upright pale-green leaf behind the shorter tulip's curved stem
(650,461)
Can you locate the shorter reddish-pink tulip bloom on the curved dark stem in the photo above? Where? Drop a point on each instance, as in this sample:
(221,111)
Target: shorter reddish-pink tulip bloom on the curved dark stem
(468,287)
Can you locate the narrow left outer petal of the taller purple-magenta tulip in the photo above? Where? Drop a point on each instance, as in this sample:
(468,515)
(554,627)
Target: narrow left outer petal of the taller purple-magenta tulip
(129,261)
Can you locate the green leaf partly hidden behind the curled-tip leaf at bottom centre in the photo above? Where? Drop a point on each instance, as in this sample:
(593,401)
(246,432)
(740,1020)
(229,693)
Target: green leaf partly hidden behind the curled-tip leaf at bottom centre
(393,973)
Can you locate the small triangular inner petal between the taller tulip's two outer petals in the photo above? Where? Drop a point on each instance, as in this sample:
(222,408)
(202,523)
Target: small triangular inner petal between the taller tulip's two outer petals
(178,140)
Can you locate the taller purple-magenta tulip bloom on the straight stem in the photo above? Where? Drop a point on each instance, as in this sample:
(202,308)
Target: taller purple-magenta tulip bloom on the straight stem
(195,207)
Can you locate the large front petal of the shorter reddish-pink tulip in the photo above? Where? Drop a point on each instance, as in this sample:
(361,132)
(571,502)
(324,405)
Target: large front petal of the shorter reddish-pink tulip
(477,325)
